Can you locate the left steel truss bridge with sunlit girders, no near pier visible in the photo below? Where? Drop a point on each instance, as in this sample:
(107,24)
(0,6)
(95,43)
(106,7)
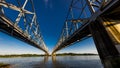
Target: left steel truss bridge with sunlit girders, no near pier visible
(20,21)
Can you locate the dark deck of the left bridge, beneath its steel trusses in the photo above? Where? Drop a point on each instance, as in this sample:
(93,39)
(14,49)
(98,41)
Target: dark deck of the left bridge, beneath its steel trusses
(12,31)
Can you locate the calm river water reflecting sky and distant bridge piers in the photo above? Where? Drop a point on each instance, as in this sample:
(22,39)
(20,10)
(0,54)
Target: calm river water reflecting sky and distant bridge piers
(54,62)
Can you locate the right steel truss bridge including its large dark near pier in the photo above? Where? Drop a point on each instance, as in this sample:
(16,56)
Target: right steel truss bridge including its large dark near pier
(99,19)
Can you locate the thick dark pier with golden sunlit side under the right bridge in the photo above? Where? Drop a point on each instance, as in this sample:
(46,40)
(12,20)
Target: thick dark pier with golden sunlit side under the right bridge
(105,43)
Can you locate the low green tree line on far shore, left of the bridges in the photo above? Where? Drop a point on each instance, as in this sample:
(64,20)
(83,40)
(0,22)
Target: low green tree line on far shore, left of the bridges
(21,55)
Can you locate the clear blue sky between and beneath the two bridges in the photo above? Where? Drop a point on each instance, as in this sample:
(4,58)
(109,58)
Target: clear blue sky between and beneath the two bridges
(51,15)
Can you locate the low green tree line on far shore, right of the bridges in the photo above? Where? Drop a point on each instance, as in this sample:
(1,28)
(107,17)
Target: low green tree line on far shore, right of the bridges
(75,54)
